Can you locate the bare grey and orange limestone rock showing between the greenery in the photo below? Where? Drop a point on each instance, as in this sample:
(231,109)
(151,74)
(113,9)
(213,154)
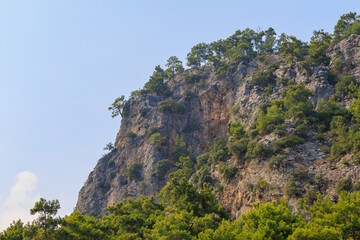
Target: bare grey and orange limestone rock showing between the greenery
(214,104)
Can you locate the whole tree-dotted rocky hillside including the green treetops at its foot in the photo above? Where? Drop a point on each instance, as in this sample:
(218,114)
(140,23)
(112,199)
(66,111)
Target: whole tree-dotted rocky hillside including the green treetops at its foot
(258,139)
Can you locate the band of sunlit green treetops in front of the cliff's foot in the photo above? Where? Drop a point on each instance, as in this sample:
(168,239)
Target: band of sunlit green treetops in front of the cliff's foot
(185,213)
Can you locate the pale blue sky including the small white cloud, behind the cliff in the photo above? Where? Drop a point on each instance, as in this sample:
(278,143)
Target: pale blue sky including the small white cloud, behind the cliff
(63,62)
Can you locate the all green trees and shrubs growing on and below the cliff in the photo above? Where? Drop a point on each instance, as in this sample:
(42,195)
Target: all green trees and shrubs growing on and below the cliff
(187,207)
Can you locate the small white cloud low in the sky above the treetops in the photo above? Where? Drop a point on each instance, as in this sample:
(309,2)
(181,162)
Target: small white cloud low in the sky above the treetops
(20,200)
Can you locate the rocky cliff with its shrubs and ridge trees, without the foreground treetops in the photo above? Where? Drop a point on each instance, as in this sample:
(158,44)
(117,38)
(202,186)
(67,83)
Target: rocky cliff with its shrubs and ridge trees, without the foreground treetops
(256,123)
